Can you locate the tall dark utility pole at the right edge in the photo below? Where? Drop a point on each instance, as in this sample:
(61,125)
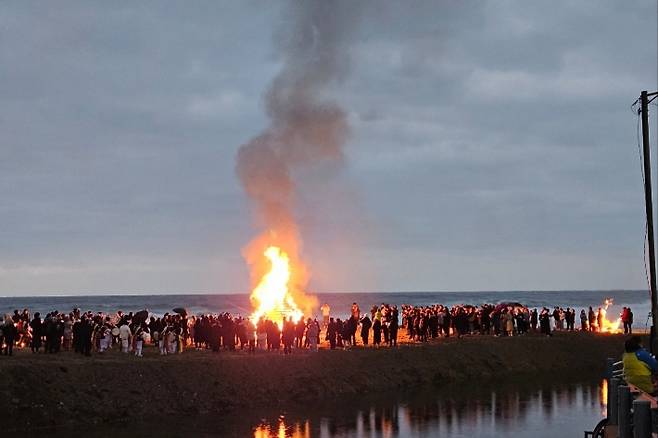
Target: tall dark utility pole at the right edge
(648,203)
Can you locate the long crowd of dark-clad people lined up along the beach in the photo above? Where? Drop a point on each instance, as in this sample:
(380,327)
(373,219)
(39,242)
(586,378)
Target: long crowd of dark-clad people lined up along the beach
(89,332)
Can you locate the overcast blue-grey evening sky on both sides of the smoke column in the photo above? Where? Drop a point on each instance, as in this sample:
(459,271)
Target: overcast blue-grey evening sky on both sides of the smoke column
(491,146)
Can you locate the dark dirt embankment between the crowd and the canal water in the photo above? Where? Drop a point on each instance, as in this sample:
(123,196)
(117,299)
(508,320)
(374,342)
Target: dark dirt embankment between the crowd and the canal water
(46,390)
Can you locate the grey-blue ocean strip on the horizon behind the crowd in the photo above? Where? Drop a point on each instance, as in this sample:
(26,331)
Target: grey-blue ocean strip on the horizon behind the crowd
(340,303)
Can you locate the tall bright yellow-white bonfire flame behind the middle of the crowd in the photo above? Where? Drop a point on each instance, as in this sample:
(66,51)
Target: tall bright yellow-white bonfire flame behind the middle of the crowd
(272,298)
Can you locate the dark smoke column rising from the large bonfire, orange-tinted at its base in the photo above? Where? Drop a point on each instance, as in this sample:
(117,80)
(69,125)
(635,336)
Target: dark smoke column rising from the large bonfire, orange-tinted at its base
(306,125)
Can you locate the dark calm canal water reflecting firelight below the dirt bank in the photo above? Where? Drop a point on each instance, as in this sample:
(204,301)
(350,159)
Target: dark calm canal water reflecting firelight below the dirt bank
(510,409)
